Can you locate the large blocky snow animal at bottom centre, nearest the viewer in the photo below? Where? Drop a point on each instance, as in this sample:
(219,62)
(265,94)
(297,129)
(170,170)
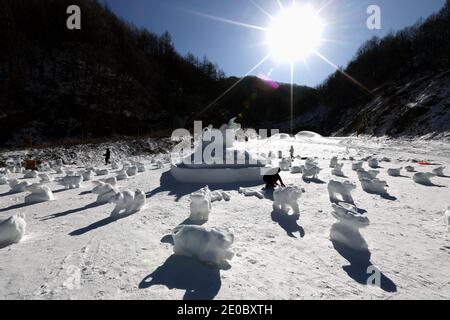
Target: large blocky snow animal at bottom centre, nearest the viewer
(209,246)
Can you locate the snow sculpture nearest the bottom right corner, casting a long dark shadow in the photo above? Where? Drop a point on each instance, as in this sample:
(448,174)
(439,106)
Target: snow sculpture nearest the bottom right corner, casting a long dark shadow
(346,230)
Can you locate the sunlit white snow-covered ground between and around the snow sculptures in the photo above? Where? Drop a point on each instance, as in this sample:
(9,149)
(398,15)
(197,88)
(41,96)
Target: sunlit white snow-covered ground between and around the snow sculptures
(72,250)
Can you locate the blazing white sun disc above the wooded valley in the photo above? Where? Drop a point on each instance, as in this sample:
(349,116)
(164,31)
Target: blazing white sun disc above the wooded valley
(294,34)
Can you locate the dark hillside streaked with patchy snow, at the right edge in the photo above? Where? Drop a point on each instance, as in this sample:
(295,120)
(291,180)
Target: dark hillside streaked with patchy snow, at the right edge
(412,107)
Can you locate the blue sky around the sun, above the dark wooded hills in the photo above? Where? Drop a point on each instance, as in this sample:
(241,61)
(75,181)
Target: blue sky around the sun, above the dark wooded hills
(237,49)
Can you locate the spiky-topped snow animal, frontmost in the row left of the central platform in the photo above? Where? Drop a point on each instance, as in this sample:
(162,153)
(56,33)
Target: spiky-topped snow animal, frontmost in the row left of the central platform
(127,203)
